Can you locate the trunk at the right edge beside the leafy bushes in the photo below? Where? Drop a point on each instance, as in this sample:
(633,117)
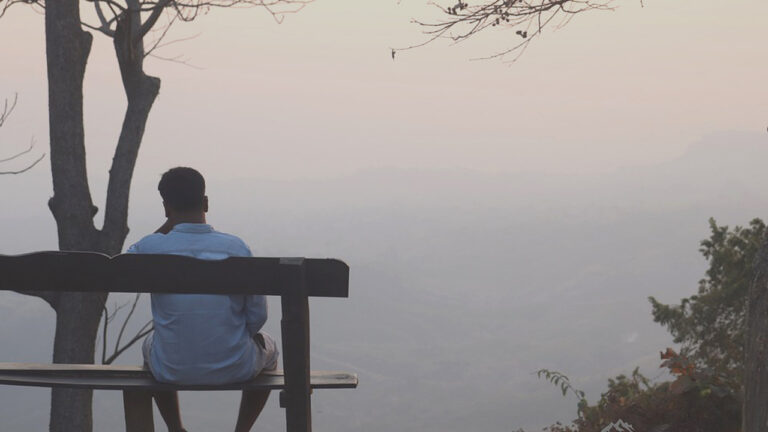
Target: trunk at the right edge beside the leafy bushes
(755,409)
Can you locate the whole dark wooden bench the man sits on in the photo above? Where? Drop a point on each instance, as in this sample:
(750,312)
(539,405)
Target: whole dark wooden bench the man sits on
(293,279)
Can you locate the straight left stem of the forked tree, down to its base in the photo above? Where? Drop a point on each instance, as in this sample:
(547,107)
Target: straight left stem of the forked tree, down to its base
(77,315)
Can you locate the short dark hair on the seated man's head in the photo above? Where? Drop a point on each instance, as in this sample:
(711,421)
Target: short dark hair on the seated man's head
(182,189)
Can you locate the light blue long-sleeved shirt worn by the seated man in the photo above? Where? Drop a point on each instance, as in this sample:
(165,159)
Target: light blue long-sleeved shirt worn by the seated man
(202,338)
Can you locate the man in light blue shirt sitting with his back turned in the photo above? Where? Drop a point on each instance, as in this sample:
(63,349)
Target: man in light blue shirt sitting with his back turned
(202,338)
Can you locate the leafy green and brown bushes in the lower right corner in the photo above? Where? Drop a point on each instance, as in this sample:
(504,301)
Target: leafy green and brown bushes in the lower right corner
(706,394)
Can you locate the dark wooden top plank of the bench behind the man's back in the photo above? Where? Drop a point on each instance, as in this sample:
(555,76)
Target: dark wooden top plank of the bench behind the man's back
(95,272)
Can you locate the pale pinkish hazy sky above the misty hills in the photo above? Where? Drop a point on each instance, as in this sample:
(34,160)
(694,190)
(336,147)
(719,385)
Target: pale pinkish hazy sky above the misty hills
(320,96)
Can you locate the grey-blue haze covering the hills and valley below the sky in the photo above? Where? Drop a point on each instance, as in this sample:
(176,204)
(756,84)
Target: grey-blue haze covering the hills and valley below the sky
(501,274)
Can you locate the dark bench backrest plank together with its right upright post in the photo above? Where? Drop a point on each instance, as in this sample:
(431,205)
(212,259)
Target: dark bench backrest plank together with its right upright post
(293,279)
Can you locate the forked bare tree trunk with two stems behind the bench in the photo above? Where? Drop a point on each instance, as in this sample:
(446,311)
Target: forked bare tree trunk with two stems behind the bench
(78,315)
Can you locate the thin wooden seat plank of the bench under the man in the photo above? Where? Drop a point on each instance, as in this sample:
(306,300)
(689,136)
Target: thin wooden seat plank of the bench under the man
(107,377)
